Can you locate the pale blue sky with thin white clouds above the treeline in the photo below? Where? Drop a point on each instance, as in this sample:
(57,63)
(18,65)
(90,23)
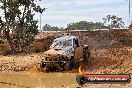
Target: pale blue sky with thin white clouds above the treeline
(62,12)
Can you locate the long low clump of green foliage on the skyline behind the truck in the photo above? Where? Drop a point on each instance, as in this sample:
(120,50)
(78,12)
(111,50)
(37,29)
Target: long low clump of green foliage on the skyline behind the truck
(84,25)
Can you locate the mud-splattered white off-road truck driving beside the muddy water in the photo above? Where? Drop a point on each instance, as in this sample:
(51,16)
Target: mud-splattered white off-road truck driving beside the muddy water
(65,53)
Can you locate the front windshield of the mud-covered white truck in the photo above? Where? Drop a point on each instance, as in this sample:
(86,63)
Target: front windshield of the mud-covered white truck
(62,44)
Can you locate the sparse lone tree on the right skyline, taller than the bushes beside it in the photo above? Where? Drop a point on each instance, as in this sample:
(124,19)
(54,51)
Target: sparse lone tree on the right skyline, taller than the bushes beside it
(113,21)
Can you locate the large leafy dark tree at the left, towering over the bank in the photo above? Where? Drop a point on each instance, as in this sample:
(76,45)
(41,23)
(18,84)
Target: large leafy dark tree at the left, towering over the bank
(19,24)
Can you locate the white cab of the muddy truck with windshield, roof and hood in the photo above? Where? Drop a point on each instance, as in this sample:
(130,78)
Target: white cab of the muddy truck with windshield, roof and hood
(64,46)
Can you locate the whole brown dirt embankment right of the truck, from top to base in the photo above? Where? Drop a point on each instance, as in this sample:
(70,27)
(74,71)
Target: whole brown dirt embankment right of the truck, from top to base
(111,50)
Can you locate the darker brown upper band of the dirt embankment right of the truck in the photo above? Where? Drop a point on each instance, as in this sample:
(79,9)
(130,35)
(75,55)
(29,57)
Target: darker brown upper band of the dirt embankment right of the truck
(106,38)
